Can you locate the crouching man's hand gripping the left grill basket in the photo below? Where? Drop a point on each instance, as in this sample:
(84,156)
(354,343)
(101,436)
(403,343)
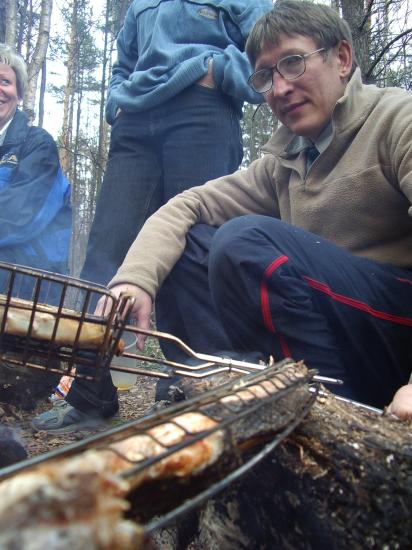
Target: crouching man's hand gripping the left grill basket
(140,312)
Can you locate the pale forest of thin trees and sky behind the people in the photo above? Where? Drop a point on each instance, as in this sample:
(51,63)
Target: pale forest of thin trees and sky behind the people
(70,45)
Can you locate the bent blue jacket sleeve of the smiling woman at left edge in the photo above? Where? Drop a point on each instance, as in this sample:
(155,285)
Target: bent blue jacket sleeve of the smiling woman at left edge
(32,192)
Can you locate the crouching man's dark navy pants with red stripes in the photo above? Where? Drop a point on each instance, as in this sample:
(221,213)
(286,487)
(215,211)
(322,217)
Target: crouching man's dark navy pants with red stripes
(258,283)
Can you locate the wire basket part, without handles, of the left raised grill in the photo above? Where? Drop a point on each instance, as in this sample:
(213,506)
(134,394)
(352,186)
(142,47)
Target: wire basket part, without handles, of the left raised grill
(44,318)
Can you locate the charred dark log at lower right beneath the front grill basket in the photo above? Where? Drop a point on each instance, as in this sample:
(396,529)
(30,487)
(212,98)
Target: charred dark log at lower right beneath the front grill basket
(342,479)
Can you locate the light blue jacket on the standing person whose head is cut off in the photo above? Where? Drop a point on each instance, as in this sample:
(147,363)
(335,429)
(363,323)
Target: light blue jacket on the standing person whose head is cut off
(164,47)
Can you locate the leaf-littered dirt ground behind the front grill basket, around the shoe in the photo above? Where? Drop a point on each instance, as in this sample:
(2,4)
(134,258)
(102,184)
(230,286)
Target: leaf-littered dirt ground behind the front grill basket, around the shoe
(133,404)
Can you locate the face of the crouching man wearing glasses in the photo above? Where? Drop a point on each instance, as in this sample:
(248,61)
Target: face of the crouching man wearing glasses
(305,104)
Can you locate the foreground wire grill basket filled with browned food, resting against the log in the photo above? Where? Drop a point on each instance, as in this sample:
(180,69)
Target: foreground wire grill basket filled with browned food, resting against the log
(246,418)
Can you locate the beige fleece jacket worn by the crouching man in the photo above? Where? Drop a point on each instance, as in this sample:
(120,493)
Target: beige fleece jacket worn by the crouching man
(357,193)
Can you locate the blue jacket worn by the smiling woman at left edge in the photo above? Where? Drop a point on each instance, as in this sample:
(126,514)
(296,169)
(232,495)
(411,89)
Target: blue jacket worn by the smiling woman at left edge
(35,212)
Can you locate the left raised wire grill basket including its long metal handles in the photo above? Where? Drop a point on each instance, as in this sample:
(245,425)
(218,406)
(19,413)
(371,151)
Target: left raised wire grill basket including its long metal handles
(47,322)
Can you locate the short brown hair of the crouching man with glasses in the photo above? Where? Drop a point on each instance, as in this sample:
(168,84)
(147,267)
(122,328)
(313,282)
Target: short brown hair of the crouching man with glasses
(297,17)
